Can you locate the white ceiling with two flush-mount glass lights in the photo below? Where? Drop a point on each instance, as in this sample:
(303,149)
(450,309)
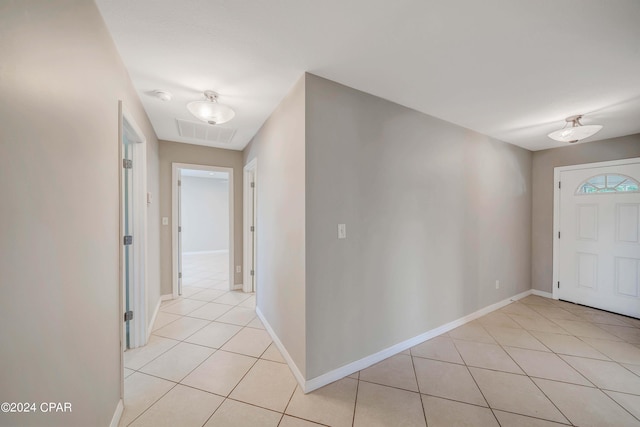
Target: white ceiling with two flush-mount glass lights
(509,69)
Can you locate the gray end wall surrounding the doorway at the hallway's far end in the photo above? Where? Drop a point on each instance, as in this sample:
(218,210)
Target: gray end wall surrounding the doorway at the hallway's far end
(175,152)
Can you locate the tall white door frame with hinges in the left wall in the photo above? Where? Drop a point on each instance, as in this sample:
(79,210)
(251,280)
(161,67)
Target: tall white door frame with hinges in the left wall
(138,293)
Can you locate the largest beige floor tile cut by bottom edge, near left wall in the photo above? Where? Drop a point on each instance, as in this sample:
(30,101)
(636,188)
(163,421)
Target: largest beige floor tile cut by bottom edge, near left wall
(181,406)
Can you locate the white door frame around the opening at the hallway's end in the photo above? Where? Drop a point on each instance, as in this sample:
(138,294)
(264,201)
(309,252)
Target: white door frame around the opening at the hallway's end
(175,169)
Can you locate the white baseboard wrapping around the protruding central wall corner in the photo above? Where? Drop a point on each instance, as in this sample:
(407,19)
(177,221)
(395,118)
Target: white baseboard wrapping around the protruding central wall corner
(336,374)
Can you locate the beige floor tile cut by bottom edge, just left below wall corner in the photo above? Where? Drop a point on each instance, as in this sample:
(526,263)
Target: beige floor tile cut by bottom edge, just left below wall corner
(238,414)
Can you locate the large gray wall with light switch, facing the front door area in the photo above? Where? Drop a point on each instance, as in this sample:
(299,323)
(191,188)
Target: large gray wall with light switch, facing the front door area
(435,214)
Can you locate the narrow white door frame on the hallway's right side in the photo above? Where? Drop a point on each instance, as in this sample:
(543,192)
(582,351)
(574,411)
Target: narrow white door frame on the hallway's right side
(250,208)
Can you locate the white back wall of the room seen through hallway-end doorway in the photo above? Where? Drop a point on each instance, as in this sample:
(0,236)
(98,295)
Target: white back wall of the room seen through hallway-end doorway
(205,214)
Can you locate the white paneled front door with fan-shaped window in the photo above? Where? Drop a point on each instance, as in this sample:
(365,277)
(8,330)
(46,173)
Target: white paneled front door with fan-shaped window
(599,237)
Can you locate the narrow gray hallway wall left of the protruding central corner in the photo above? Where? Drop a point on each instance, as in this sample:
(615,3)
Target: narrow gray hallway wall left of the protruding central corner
(280,273)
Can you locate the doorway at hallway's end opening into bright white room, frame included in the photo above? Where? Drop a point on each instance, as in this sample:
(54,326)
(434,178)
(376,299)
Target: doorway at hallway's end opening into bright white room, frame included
(202,228)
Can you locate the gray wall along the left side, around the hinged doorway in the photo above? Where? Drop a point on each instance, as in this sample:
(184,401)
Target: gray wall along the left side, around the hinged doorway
(61,78)
